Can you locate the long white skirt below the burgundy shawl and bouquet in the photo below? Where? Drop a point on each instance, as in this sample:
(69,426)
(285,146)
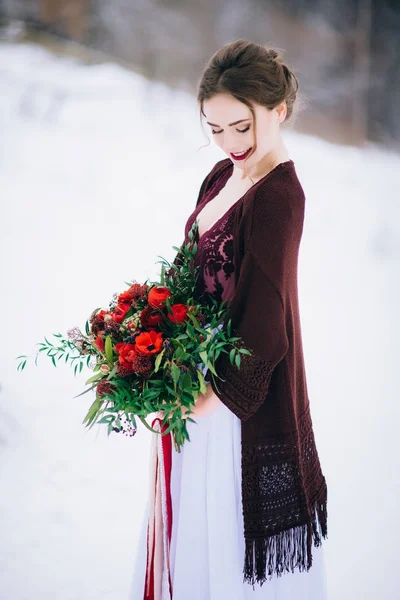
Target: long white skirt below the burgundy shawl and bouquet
(207,544)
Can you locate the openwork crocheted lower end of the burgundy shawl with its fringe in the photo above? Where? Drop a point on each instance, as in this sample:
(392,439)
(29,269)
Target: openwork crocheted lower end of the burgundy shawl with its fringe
(284,497)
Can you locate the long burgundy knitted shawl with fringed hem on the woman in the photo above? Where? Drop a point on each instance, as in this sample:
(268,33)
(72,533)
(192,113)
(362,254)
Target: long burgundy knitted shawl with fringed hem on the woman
(284,492)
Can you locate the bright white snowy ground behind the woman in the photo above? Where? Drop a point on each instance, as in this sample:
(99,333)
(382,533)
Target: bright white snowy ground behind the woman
(99,170)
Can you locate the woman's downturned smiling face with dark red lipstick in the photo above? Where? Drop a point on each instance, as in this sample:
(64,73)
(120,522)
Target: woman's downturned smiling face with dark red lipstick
(232,126)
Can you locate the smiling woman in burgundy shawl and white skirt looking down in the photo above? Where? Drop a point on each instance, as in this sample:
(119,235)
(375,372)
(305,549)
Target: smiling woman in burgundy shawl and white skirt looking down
(248,494)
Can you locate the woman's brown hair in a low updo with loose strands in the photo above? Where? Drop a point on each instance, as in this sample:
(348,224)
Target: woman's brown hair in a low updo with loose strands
(251,73)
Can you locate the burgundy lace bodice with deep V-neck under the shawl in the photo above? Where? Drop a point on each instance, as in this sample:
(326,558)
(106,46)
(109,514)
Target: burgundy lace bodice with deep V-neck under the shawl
(214,255)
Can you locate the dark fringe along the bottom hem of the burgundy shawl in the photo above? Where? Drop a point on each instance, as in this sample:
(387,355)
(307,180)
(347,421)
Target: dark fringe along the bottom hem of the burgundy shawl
(286,550)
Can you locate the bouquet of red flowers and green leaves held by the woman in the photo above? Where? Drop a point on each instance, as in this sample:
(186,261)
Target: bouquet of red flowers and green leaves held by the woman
(150,350)
